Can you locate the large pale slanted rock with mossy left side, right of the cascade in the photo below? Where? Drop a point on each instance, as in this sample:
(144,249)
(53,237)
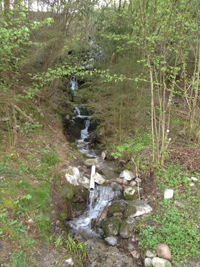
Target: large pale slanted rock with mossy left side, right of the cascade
(136,208)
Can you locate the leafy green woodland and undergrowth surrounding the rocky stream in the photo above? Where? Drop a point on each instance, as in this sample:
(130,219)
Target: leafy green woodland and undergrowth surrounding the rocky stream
(137,67)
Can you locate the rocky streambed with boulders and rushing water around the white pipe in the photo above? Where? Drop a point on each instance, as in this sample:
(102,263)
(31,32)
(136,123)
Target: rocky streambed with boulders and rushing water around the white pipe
(108,219)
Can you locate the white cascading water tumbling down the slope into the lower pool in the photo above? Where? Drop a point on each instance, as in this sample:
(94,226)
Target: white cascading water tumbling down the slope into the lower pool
(99,196)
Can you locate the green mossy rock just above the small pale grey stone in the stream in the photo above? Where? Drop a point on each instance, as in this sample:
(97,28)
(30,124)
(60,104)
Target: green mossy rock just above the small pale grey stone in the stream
(111,226)
